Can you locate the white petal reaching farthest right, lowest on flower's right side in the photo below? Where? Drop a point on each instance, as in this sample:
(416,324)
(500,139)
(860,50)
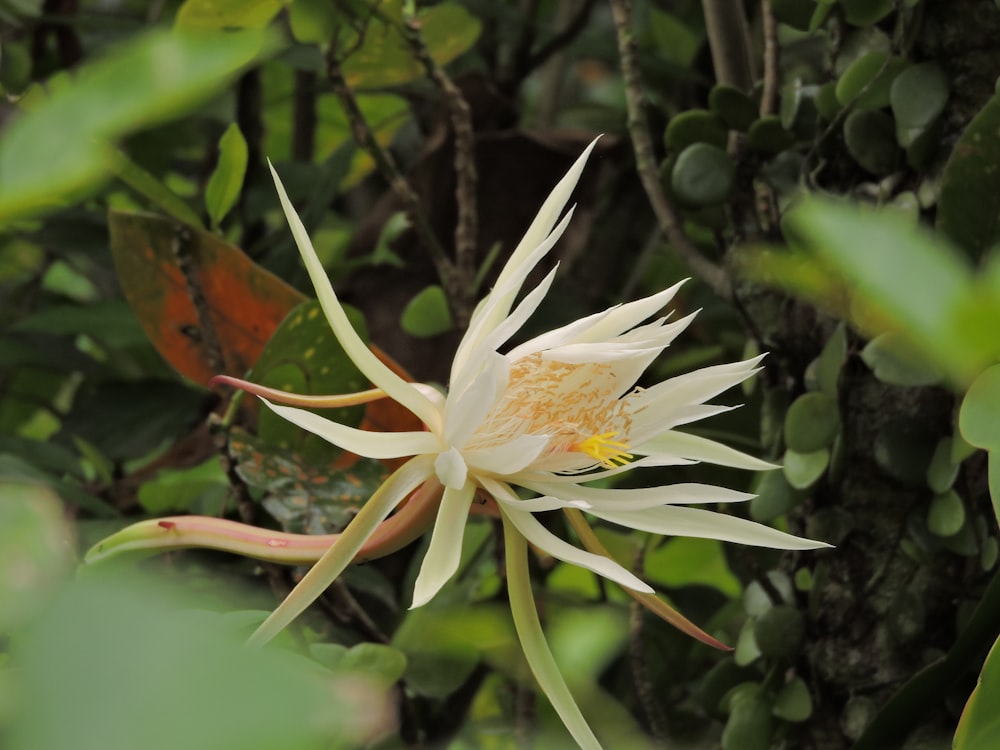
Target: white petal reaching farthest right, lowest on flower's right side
(678,521)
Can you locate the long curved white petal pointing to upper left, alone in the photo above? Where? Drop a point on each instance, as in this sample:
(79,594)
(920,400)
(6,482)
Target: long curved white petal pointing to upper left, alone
(380,375)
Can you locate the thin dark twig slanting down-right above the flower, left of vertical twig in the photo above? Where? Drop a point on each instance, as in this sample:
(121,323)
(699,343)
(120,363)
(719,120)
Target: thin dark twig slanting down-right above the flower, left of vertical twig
(386,165)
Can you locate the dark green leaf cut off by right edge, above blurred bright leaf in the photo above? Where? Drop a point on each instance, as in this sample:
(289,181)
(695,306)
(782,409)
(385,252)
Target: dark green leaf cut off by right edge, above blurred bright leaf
(969,206)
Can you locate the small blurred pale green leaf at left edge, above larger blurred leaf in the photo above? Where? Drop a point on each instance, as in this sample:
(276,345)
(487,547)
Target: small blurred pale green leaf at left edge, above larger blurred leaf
(35,551)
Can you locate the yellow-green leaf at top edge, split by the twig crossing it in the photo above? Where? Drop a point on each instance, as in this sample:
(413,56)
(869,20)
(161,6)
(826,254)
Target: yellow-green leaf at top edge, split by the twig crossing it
(385,58)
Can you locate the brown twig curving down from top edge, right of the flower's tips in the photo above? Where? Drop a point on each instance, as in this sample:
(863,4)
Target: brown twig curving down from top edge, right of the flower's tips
(711,274)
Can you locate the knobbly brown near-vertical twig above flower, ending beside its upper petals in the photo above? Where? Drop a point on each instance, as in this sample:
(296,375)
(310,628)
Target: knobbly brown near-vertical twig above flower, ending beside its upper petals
(459,285)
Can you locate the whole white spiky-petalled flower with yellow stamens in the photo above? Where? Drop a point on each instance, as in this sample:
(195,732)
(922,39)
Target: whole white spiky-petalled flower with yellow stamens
(548,416)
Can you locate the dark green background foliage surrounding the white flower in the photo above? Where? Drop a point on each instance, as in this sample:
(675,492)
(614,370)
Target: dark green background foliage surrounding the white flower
(827,170)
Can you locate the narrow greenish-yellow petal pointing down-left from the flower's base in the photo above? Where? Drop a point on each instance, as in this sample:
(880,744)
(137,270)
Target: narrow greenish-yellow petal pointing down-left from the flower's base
(400,483)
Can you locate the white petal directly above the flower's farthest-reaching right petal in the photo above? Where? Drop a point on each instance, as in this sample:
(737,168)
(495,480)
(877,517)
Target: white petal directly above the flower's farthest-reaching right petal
(623,500)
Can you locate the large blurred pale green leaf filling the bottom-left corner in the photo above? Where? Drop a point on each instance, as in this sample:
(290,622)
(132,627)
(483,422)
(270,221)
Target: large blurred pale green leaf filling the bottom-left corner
(165,677)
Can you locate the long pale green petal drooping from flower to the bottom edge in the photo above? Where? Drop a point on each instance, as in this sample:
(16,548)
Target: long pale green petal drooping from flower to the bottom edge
(536,650)
